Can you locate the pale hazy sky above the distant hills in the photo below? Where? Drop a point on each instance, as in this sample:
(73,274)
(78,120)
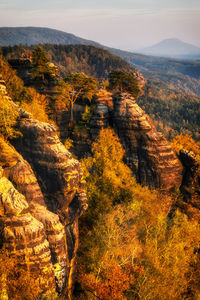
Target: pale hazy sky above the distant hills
(126,24)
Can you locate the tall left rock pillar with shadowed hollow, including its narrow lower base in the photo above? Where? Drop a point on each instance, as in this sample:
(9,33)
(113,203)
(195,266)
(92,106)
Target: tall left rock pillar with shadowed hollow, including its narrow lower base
(60,178)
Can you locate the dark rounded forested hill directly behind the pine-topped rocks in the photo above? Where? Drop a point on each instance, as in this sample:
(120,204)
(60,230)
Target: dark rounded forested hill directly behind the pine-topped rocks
(76,58)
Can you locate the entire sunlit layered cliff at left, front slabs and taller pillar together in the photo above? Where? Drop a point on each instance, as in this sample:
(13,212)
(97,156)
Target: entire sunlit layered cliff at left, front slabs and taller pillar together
(41,198)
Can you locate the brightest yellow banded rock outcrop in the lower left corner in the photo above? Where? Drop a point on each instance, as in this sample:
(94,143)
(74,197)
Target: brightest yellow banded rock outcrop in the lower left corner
(23,236)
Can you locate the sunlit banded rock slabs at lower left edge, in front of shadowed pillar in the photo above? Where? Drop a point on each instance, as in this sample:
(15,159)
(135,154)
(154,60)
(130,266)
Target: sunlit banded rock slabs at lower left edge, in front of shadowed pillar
(23,235)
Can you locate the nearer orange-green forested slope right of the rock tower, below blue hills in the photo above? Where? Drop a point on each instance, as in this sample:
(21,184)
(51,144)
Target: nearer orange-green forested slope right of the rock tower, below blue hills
(174,112)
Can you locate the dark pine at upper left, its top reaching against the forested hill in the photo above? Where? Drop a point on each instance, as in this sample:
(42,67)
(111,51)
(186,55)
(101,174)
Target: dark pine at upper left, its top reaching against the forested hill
(41,64)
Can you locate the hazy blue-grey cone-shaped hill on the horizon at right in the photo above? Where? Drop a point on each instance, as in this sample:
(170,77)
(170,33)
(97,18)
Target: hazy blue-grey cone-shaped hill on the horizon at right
(172,48)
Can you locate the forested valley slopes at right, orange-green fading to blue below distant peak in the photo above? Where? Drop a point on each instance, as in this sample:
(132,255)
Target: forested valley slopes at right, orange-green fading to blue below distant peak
(172,96)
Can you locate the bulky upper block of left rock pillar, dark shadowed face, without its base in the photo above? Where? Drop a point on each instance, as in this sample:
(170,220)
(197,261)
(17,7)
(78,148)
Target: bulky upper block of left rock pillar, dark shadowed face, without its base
(58,173)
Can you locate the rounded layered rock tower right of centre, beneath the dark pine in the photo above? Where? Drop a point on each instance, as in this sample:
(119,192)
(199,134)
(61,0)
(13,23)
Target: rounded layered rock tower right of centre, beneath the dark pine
(147,152)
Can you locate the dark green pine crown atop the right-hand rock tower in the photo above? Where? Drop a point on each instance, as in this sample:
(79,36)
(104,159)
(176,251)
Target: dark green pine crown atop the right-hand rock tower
(122,81)
